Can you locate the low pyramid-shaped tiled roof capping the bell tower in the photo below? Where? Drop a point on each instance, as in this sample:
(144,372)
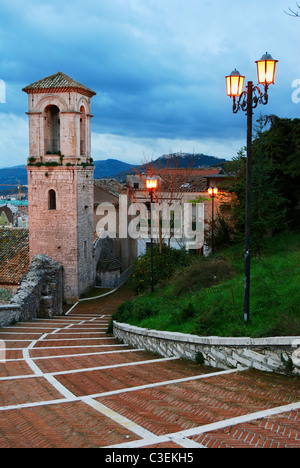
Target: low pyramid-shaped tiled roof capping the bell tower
(58,82)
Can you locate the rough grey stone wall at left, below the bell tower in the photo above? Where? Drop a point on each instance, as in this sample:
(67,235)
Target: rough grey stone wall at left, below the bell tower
(39,295)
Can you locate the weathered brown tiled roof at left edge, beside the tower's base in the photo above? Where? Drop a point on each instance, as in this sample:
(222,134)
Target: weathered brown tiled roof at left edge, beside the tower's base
(14,255)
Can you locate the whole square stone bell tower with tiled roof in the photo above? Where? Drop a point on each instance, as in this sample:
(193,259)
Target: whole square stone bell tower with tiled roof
(60,178)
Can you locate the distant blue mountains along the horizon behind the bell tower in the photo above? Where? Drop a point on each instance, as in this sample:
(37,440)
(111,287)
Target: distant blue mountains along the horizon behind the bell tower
(117,169)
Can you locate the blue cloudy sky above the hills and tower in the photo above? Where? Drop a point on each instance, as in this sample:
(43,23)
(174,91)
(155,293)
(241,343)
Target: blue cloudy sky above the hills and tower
(158,68)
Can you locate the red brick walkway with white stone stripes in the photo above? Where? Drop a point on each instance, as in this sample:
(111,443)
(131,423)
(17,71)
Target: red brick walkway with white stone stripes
(65,383)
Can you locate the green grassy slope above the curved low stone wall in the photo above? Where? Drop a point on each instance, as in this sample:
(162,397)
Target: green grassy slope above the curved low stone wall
(206,298)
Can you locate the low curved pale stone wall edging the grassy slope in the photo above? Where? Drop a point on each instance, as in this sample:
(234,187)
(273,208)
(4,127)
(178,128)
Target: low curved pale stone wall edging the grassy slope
(278,354)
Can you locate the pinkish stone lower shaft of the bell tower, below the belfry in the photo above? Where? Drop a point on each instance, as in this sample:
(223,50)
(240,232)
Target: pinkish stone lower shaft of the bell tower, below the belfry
(64,234)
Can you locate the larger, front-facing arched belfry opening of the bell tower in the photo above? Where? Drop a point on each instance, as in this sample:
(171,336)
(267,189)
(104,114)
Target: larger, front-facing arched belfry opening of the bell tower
(52,130)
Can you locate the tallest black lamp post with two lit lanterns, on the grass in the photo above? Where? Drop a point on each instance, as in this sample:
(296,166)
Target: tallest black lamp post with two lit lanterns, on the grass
(247,101)
